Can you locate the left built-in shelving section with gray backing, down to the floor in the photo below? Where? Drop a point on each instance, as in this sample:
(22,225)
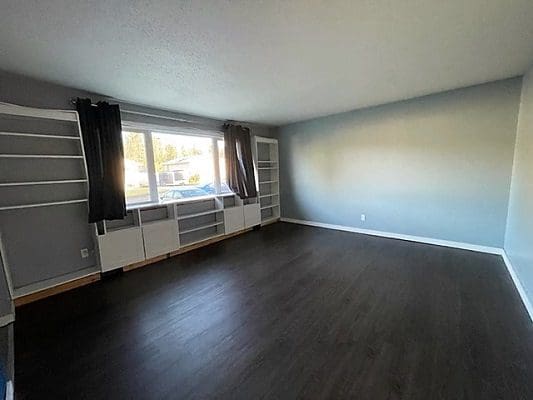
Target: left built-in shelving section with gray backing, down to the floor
(43,183)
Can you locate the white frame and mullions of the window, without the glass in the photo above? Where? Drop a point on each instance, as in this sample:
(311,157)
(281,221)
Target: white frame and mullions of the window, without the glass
(147,133)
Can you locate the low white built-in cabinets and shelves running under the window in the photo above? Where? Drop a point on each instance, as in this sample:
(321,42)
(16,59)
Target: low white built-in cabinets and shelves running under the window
(150,231)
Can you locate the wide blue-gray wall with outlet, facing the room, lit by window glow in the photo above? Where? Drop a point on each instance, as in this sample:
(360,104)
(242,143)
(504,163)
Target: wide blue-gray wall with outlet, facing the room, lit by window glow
(437,166)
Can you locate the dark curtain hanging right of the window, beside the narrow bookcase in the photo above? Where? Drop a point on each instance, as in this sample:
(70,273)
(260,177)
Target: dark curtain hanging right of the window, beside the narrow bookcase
(239,164)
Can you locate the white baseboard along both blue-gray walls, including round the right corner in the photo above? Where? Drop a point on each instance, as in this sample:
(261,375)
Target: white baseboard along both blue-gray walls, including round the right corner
(438,242)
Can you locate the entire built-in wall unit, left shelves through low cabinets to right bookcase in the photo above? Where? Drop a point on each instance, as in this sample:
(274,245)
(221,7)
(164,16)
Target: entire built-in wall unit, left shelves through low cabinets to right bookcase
(44,181)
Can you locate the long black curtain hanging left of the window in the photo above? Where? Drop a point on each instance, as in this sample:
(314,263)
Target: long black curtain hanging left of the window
(101,129)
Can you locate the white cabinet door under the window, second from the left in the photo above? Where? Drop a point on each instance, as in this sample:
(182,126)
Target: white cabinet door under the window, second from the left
(160,237)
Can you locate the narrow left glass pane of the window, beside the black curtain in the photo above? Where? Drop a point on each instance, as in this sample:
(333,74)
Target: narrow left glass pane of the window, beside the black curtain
(137,187)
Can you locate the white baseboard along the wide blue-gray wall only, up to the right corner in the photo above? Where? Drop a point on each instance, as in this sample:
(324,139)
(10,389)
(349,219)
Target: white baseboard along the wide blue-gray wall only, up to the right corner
(391,235)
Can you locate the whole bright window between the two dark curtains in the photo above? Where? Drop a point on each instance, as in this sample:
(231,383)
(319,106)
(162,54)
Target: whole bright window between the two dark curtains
(168,167)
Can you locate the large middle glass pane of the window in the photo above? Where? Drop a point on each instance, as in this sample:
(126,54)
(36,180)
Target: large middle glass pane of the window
(184,166)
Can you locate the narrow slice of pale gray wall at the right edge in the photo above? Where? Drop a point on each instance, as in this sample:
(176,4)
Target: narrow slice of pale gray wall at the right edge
(519,237)
